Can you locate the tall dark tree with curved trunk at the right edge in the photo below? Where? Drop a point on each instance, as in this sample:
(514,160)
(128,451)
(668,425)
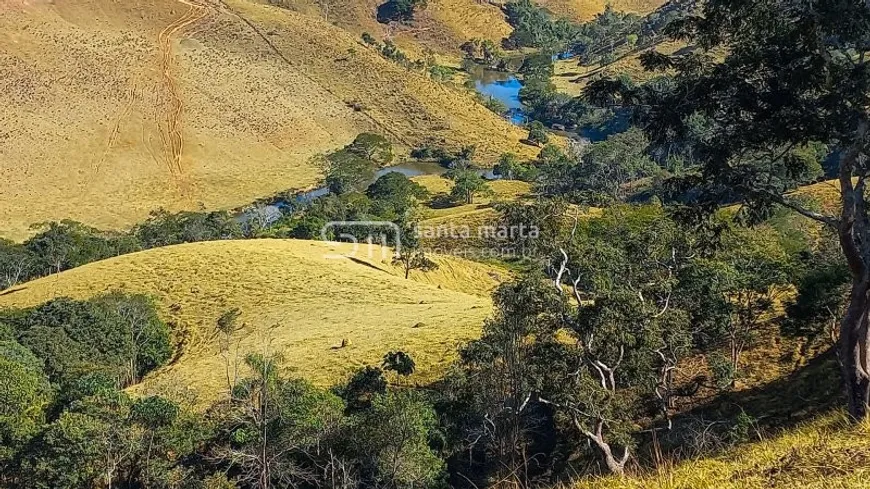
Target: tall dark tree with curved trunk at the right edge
(791,74)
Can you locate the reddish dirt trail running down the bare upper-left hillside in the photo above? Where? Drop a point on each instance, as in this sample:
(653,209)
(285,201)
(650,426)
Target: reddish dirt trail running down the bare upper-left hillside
(170,130)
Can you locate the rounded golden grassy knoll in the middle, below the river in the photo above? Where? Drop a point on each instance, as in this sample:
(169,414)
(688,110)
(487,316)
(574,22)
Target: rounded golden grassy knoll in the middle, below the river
(294,299)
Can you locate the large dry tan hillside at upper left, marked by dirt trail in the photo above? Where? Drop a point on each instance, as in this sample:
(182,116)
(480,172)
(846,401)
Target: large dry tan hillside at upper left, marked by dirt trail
(113,108)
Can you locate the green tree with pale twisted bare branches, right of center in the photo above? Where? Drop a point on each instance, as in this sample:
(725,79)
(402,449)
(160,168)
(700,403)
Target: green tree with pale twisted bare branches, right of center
(632,321)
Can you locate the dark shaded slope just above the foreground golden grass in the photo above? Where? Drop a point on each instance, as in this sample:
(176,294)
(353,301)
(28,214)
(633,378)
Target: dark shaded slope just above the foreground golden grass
(810,391)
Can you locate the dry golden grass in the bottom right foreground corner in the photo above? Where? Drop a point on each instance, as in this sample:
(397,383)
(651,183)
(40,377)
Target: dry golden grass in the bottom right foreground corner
(827,453)
